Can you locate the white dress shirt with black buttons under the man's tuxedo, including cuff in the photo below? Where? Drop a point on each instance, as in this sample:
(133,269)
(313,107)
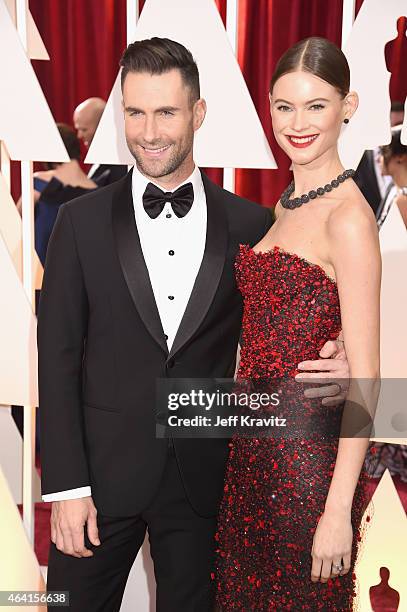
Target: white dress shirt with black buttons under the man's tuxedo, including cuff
(173,249)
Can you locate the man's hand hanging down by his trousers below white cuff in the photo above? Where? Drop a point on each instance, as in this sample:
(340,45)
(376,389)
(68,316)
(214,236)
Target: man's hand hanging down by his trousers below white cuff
(68,520)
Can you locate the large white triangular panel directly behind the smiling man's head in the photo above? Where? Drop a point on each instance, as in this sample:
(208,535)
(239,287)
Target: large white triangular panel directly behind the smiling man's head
(232,135)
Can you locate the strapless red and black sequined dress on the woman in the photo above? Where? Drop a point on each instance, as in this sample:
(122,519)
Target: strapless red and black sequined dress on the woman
(275,488)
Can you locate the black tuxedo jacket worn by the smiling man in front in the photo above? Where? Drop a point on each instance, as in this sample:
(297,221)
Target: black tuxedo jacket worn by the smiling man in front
(102,347)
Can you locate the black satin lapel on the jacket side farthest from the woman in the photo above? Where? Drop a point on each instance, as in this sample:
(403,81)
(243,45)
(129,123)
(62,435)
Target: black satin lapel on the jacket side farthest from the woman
(132,261)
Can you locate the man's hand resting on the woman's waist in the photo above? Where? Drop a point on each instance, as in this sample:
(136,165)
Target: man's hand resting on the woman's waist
(333,366)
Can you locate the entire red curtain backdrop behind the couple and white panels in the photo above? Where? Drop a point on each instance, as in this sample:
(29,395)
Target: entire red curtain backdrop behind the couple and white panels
(85,39)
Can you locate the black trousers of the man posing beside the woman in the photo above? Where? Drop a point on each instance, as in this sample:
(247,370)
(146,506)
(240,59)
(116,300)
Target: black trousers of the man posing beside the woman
(182,547)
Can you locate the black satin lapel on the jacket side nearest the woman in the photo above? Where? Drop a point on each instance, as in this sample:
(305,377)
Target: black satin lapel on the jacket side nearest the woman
(211,268)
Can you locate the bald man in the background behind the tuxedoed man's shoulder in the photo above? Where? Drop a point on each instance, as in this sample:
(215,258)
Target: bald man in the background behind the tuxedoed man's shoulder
(86,118)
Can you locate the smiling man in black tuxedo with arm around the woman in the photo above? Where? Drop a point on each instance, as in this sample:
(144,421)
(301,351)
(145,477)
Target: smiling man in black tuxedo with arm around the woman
(139,284)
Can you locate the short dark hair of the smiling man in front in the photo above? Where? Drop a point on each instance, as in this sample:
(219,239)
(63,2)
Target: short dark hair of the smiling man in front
(160,55)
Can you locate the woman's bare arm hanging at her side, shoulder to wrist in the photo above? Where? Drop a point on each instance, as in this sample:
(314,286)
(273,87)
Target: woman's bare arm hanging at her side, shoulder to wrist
(355,254)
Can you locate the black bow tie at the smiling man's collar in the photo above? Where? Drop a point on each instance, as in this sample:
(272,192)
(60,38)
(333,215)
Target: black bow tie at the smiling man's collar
(181,200)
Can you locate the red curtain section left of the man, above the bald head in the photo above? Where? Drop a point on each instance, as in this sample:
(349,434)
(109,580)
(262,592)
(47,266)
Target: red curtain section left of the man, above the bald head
(84,39)
